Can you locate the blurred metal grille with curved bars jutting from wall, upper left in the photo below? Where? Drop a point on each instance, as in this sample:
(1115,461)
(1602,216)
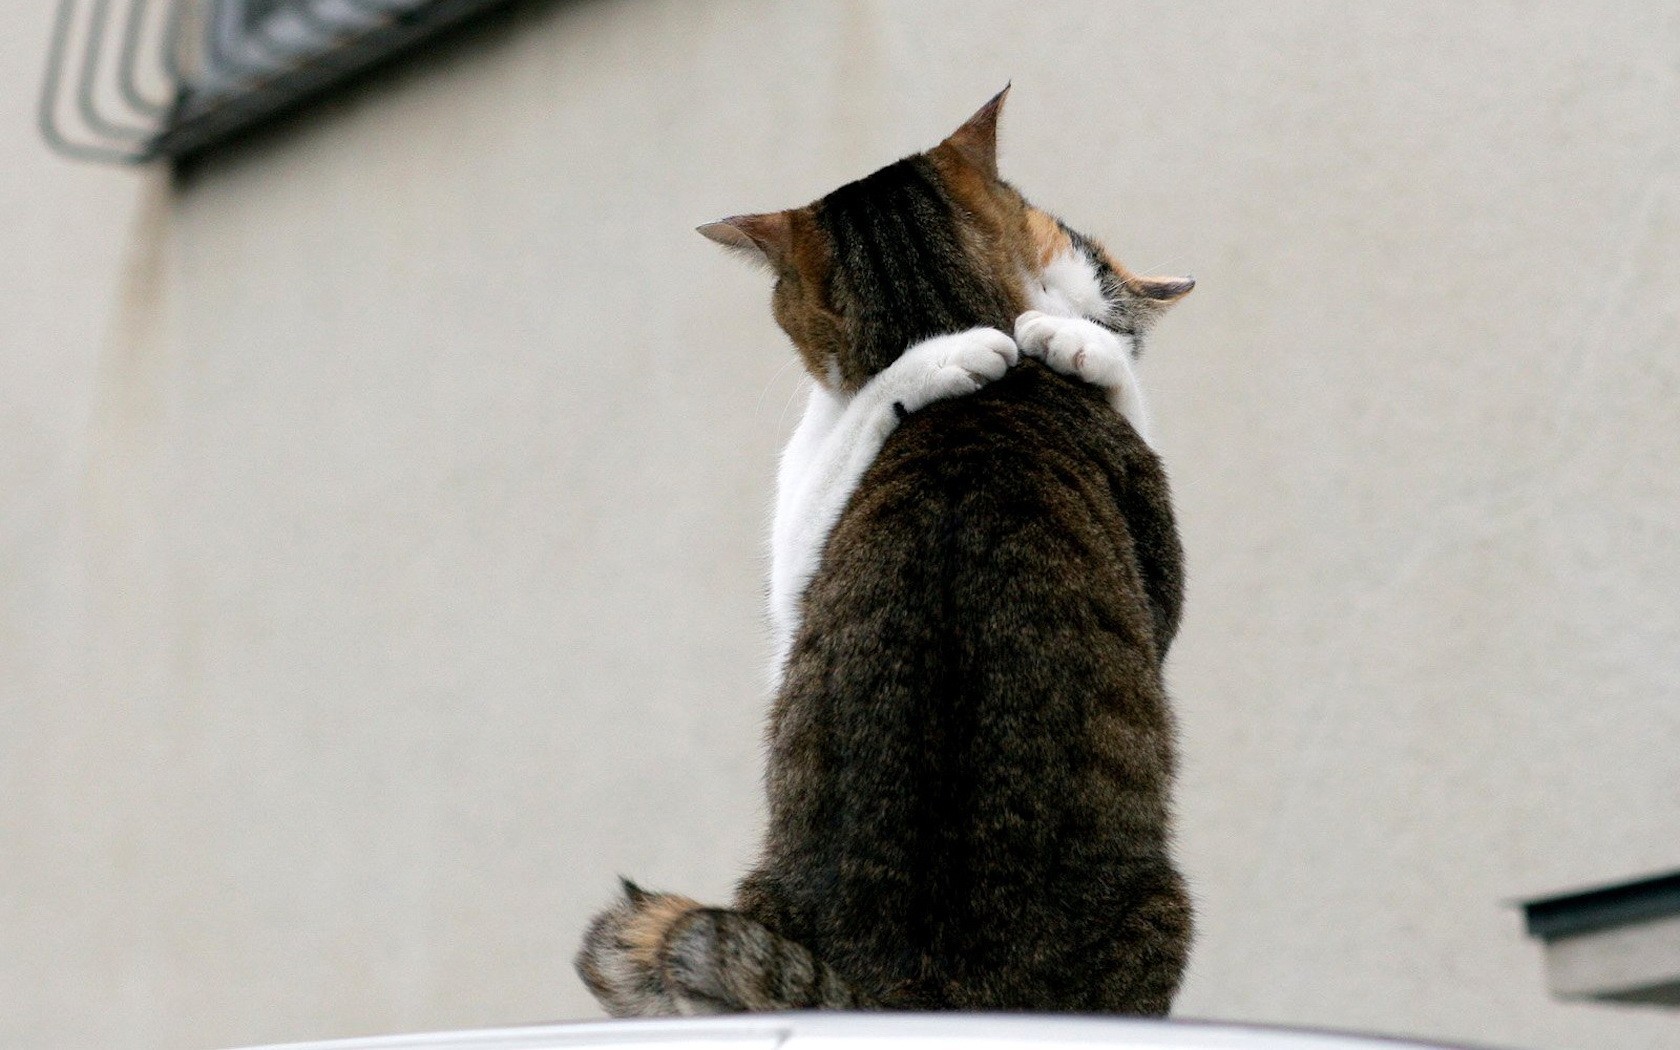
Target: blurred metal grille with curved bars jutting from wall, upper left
(142,80)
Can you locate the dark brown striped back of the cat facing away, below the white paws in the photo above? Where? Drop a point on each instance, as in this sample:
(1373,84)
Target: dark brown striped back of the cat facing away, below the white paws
(972,747)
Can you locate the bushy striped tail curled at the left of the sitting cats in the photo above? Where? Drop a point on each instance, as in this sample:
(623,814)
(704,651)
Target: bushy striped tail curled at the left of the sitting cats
(659,955)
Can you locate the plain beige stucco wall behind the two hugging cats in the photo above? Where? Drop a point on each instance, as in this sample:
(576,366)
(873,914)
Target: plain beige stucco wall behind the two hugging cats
(382,500)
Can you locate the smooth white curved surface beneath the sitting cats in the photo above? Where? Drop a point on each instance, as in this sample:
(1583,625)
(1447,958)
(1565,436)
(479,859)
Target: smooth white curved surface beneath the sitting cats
(878,1032)
